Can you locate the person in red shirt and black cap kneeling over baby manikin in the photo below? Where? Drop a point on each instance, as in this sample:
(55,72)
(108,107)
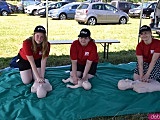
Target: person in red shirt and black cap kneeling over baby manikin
(84,57)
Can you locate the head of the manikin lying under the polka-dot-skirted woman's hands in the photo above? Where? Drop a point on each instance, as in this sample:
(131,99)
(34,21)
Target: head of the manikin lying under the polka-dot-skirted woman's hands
(125,84)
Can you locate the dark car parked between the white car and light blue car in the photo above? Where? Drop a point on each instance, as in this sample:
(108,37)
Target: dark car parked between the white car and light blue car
(53,5)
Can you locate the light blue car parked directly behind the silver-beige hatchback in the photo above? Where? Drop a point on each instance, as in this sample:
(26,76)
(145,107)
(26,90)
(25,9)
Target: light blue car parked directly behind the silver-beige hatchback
(65,12)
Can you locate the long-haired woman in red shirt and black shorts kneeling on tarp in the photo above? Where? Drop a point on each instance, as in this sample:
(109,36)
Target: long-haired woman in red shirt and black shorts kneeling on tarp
(33,55)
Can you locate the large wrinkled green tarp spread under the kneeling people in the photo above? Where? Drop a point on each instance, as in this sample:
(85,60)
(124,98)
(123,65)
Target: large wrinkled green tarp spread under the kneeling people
(104,99)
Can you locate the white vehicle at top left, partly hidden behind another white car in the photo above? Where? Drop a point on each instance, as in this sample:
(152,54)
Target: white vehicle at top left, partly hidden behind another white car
(24,3)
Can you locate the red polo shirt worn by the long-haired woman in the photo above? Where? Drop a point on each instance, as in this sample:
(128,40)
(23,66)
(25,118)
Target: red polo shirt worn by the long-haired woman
(27,50)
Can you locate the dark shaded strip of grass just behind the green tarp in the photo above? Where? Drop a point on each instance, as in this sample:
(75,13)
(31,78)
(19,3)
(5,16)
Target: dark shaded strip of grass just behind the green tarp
(53,60)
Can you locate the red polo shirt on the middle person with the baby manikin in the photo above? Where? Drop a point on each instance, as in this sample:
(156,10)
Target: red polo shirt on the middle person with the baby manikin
(84,53)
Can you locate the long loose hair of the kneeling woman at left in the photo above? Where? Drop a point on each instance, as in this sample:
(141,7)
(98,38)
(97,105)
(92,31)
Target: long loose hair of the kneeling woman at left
(44,45)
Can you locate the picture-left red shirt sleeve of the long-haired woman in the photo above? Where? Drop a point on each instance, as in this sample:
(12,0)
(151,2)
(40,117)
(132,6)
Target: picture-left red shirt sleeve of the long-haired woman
(27,48)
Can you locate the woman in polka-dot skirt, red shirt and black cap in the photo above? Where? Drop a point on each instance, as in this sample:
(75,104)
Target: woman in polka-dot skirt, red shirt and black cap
(148,56)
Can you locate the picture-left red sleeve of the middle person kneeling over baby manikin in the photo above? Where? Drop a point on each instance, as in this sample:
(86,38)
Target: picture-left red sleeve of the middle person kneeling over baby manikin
(73,51)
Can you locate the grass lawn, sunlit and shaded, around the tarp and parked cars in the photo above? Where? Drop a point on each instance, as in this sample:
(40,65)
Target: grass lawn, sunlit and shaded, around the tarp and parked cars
(17,27)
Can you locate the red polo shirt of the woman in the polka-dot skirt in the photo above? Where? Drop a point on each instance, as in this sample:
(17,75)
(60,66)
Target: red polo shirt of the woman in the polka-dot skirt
(147,50)
